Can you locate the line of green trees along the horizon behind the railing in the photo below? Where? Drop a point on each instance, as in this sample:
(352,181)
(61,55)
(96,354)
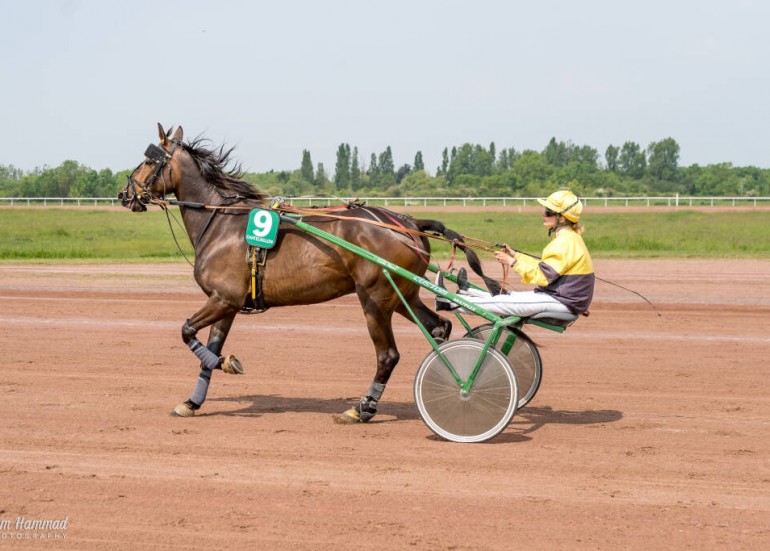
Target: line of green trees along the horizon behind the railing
(469,170)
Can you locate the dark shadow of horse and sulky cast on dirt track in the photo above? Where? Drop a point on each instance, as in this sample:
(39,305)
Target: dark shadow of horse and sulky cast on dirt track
(526,421)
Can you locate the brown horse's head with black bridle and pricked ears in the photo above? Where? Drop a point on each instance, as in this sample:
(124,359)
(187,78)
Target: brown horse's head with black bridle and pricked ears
(152,179)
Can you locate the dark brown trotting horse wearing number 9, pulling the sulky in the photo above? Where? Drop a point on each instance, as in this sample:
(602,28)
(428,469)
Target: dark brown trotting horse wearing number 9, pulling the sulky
(300,269)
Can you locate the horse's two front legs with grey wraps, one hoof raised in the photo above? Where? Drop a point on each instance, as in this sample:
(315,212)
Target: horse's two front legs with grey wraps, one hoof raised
(220,316)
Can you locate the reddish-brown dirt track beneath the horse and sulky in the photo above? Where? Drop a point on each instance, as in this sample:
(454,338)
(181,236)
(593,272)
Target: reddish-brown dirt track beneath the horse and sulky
(647,432)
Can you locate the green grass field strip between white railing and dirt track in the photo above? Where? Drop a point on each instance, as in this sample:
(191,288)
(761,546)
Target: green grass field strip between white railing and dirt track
(98,234)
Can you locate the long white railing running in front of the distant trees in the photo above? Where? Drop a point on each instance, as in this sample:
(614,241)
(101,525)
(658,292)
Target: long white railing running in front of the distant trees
(675,201)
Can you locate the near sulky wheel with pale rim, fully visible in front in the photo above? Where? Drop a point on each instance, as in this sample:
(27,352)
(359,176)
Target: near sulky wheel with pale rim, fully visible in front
(479,415)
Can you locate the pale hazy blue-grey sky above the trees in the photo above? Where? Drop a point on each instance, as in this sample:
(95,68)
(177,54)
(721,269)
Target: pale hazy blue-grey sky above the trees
(88,80)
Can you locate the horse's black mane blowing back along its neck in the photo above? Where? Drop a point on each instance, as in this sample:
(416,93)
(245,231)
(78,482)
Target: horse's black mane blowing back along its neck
(219,170)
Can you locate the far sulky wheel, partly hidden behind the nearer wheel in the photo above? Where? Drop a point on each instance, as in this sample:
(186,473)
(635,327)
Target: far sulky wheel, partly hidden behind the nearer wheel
(523,356)
